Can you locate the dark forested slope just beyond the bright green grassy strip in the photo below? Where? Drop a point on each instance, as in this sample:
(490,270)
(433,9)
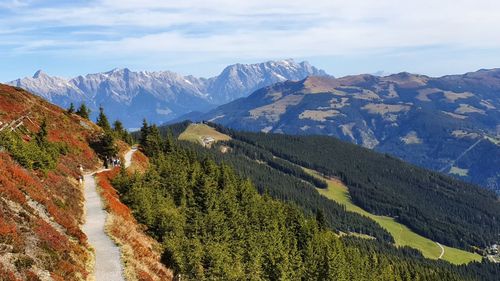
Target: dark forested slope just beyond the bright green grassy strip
(434,205)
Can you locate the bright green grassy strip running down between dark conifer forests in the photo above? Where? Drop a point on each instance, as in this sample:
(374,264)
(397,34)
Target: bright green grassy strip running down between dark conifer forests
(402,235)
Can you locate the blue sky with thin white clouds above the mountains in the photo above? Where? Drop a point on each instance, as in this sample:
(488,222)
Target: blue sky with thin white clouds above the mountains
(200,37)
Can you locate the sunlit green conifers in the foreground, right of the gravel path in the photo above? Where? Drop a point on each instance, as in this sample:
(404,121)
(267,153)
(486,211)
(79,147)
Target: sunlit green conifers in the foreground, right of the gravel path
(214,225)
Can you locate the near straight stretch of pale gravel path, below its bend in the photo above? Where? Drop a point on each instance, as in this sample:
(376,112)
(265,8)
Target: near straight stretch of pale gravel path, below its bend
(108,265)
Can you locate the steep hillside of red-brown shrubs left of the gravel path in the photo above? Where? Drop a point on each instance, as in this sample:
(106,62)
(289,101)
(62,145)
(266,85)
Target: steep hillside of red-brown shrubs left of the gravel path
(41,201)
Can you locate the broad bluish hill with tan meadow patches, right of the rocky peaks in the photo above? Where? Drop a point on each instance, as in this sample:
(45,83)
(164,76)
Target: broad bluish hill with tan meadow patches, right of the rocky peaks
(447,124)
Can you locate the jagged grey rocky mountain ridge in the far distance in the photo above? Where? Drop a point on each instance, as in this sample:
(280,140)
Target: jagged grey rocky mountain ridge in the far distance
(163,95)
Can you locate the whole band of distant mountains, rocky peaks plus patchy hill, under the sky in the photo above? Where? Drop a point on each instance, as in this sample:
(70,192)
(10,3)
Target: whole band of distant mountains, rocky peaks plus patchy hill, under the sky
(448,124)
